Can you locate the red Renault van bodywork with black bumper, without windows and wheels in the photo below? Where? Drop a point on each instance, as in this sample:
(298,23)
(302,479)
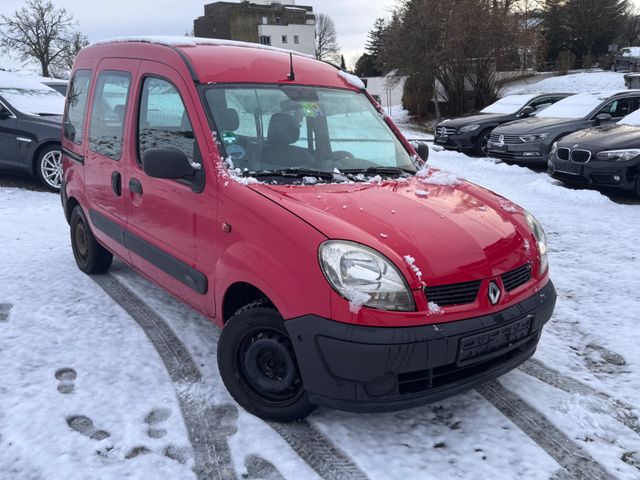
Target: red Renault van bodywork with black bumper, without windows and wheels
(230,243)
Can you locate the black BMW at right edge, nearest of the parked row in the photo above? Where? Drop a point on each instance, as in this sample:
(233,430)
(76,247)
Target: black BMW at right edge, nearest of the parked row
(600,157)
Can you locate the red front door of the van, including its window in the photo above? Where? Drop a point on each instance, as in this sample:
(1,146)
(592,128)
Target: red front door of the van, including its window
(169,220)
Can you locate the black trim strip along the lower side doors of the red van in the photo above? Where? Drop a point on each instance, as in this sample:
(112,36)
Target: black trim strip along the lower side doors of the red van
(179,270)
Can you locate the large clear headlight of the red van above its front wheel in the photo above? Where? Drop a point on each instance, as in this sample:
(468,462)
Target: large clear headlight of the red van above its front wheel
(364,277)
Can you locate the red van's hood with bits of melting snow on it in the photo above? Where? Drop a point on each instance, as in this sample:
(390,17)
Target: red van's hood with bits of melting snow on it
(455,231)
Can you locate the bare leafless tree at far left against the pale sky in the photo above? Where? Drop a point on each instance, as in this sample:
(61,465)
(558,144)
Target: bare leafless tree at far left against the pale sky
(38,31)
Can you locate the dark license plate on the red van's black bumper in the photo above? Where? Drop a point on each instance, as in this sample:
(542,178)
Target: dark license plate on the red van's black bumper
(494,342)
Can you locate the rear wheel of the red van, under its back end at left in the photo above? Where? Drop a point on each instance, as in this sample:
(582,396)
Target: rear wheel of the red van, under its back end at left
(90,256)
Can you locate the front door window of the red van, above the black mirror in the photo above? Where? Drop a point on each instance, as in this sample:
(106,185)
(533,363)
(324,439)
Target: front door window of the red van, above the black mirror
(163,121)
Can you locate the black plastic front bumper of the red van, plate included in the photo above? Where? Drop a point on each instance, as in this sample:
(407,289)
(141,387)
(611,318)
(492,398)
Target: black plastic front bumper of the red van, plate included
(375,369)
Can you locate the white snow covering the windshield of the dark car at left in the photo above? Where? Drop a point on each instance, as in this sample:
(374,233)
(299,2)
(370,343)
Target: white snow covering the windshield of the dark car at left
(30,96)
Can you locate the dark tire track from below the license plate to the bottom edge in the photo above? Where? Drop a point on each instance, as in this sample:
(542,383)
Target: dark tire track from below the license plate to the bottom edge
(577,463)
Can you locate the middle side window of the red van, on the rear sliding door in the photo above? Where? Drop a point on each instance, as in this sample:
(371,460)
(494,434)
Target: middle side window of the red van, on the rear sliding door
(108,112)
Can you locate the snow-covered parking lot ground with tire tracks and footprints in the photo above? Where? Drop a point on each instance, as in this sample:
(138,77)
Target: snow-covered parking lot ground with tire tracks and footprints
(110,377)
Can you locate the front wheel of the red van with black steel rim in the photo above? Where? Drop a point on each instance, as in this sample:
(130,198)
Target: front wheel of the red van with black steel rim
(258,365)
